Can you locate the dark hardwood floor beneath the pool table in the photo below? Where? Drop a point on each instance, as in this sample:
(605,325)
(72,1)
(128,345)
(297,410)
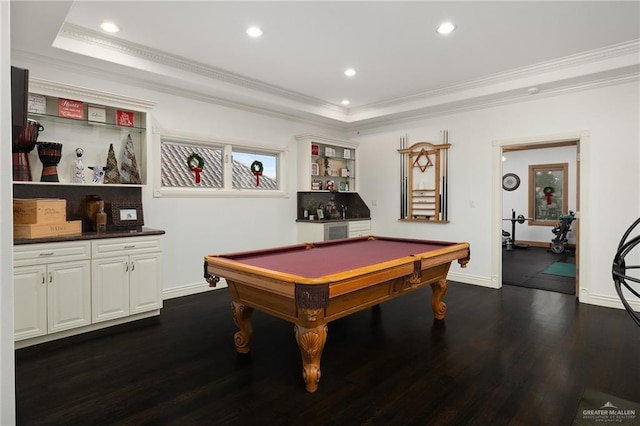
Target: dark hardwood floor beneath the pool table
(515,356)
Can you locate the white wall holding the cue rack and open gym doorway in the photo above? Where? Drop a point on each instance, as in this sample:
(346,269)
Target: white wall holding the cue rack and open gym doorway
(609,180)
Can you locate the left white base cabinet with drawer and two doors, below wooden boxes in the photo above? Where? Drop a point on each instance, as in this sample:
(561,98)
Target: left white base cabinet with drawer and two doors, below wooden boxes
(52,290)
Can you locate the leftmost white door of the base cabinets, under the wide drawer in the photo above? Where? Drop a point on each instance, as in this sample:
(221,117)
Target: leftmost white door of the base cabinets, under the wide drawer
(29,301)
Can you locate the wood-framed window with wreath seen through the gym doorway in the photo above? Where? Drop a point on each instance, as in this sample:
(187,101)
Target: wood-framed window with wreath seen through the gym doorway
(548,198)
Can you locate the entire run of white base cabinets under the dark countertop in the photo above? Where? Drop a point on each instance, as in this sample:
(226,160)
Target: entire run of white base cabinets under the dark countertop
(71,287)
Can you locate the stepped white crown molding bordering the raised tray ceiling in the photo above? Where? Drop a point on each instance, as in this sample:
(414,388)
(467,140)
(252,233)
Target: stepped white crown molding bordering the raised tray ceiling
(609,65)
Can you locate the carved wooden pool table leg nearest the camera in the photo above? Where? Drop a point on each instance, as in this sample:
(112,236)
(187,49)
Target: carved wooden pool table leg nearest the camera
(311,343)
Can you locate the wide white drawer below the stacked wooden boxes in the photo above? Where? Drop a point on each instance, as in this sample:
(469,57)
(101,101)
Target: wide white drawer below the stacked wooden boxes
(33,254)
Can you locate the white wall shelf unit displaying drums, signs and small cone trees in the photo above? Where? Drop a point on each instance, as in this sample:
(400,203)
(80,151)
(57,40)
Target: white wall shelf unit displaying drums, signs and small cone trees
(92,132)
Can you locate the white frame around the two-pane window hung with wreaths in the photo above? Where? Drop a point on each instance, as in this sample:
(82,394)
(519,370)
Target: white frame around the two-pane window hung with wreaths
(227,145)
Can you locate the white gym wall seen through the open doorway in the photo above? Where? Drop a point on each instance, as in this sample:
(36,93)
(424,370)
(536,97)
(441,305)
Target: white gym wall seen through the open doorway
(518,162)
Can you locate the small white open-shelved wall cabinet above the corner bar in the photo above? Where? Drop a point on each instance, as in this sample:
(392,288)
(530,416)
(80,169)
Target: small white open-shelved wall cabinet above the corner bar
(322,159)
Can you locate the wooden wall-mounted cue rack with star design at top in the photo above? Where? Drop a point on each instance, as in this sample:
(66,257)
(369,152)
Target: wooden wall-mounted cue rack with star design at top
(423,180)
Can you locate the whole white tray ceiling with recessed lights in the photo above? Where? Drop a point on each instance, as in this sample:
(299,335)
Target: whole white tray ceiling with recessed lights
(405,68)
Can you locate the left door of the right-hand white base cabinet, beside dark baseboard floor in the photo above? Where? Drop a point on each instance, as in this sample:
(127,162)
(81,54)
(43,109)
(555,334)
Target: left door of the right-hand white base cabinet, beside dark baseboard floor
(110,288)
